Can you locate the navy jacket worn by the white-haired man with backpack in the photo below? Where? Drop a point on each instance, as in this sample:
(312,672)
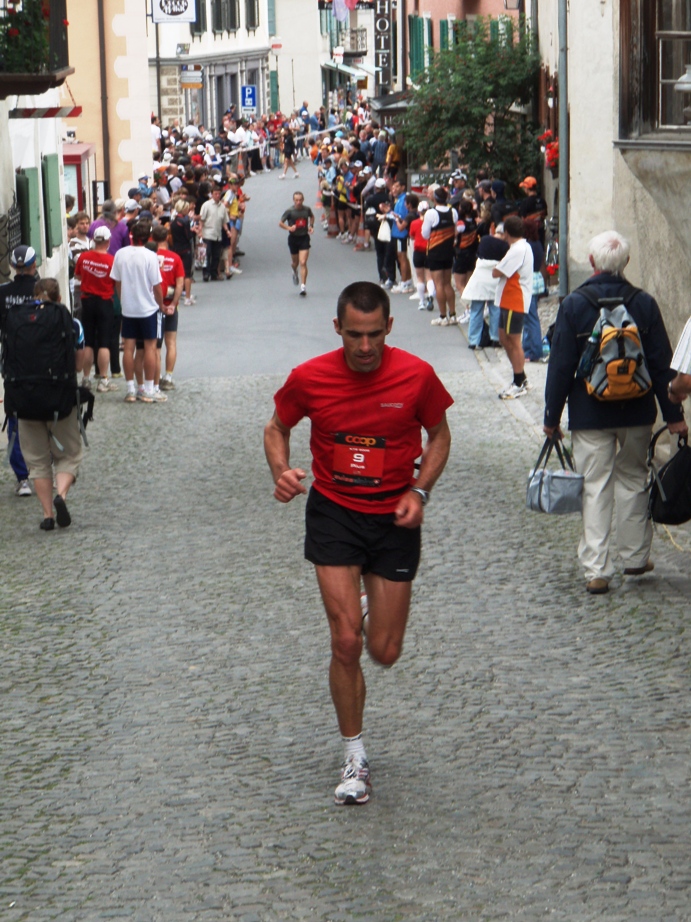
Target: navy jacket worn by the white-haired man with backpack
(575,321)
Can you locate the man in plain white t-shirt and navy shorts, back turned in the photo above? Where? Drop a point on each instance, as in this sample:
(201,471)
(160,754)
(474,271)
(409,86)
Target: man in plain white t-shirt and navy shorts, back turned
(138,283)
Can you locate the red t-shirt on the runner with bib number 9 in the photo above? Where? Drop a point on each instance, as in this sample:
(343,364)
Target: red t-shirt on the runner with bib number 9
(366,426)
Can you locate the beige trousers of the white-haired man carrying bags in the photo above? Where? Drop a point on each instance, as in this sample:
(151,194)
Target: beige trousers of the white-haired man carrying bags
(614,497)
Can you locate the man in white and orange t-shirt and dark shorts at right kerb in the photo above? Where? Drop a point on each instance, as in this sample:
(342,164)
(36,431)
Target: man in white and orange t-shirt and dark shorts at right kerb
(514,292)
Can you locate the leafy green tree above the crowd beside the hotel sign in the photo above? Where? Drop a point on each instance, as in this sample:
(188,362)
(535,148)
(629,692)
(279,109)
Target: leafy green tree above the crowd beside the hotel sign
(467,101)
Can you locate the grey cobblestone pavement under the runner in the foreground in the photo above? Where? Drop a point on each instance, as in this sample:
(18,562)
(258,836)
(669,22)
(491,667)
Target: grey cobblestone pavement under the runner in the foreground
(168,746)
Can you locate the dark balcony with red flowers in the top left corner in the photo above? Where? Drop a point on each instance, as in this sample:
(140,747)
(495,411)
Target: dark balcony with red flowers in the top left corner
(34,54)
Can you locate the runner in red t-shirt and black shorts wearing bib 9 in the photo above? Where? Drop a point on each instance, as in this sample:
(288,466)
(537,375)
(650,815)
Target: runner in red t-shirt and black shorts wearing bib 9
(367,404)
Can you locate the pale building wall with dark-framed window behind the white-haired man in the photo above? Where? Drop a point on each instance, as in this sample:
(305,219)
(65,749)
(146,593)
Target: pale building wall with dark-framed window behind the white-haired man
(630,137)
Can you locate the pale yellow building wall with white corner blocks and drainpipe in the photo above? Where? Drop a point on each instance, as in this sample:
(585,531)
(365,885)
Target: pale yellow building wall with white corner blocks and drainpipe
(127,86)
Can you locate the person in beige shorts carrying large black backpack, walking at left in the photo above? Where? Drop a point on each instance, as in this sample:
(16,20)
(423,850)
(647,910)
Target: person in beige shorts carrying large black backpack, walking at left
(42,351)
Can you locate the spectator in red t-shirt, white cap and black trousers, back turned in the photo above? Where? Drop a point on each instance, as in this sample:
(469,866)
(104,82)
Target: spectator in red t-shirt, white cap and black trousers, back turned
(93,270)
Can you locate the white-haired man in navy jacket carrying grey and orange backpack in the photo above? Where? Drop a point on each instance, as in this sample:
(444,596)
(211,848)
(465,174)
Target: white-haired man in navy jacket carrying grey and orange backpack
(610,360)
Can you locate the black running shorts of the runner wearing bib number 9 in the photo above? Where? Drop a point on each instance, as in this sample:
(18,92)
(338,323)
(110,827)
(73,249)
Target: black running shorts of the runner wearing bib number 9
(340,537)
